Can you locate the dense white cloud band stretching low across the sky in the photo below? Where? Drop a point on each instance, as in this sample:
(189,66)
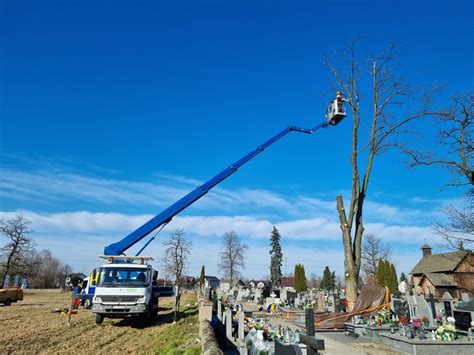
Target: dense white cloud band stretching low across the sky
(84,222)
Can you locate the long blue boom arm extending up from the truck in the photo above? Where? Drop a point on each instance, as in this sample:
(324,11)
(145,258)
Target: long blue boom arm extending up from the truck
(165,216)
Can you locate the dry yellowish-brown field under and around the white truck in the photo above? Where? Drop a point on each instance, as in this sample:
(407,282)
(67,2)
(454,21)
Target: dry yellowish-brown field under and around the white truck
(30,326)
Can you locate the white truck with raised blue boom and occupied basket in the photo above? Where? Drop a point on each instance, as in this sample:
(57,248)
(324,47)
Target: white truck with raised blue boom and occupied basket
(125,288)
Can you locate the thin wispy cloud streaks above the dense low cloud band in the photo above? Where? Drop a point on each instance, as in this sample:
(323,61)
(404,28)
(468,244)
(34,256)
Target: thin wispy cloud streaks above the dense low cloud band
(48,185)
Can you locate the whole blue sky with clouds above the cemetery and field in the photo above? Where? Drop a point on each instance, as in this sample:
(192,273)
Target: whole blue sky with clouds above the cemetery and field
(111,111)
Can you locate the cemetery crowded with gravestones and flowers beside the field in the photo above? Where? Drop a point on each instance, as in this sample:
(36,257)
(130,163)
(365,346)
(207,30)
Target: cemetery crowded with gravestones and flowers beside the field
(254,318)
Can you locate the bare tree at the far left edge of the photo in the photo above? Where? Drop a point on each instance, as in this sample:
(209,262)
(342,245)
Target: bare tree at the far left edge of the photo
(15,255)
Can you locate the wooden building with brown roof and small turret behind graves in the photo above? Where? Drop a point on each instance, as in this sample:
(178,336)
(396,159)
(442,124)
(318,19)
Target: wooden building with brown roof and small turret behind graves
(451,272)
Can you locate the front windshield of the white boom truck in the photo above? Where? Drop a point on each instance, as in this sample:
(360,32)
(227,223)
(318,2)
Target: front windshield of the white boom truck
(122,277)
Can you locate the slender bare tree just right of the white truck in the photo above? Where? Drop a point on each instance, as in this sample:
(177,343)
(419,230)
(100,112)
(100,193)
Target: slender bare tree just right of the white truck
(177,250)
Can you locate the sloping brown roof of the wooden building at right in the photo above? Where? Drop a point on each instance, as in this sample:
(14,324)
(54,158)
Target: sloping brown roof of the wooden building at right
(439,262)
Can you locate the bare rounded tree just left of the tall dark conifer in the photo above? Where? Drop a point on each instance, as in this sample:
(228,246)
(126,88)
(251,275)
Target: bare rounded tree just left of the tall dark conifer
(232,256)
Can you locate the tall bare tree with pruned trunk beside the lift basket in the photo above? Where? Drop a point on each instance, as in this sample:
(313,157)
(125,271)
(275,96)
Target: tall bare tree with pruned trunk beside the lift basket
(388,120)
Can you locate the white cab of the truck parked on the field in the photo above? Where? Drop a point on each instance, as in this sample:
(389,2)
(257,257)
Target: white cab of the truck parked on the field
(126,286)
